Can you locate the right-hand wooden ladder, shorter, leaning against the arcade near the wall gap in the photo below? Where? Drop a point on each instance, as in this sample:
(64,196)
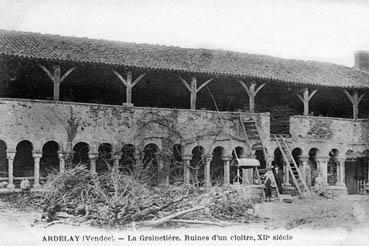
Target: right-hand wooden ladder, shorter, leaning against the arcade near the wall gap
(292,167)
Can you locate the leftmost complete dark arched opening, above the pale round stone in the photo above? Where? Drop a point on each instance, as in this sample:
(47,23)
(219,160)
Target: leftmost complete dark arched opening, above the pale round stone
(23,161)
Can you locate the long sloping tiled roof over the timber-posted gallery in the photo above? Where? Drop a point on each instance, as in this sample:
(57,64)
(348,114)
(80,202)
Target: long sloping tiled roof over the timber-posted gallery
(218,62)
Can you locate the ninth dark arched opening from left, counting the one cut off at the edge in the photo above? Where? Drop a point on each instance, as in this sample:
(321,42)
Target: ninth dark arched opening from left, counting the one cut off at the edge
(197,165)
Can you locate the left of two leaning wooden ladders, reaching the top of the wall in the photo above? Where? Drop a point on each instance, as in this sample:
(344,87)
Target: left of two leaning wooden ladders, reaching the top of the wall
(256,136)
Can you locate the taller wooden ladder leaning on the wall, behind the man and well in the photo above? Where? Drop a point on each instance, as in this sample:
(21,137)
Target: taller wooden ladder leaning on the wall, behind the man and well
(254,142)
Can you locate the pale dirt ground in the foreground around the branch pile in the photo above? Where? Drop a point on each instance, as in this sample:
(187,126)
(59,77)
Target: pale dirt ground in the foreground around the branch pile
(338,221)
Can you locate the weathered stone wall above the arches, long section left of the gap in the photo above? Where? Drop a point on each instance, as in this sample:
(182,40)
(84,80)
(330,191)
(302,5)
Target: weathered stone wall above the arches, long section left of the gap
(69,123)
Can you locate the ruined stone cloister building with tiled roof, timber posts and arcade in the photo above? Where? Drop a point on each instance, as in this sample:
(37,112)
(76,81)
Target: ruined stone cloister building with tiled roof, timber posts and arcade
(77,100)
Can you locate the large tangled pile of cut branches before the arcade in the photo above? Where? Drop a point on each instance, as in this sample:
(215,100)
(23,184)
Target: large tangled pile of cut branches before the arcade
(118,199)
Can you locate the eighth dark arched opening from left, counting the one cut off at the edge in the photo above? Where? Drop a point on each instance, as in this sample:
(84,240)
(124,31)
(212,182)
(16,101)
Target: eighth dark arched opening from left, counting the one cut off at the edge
(176,173)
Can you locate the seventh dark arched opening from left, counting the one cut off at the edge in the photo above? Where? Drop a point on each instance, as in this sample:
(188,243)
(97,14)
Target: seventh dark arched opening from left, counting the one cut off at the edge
(150,163)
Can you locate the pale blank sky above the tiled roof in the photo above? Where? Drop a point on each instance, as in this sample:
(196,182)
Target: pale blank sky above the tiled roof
(321,30)
